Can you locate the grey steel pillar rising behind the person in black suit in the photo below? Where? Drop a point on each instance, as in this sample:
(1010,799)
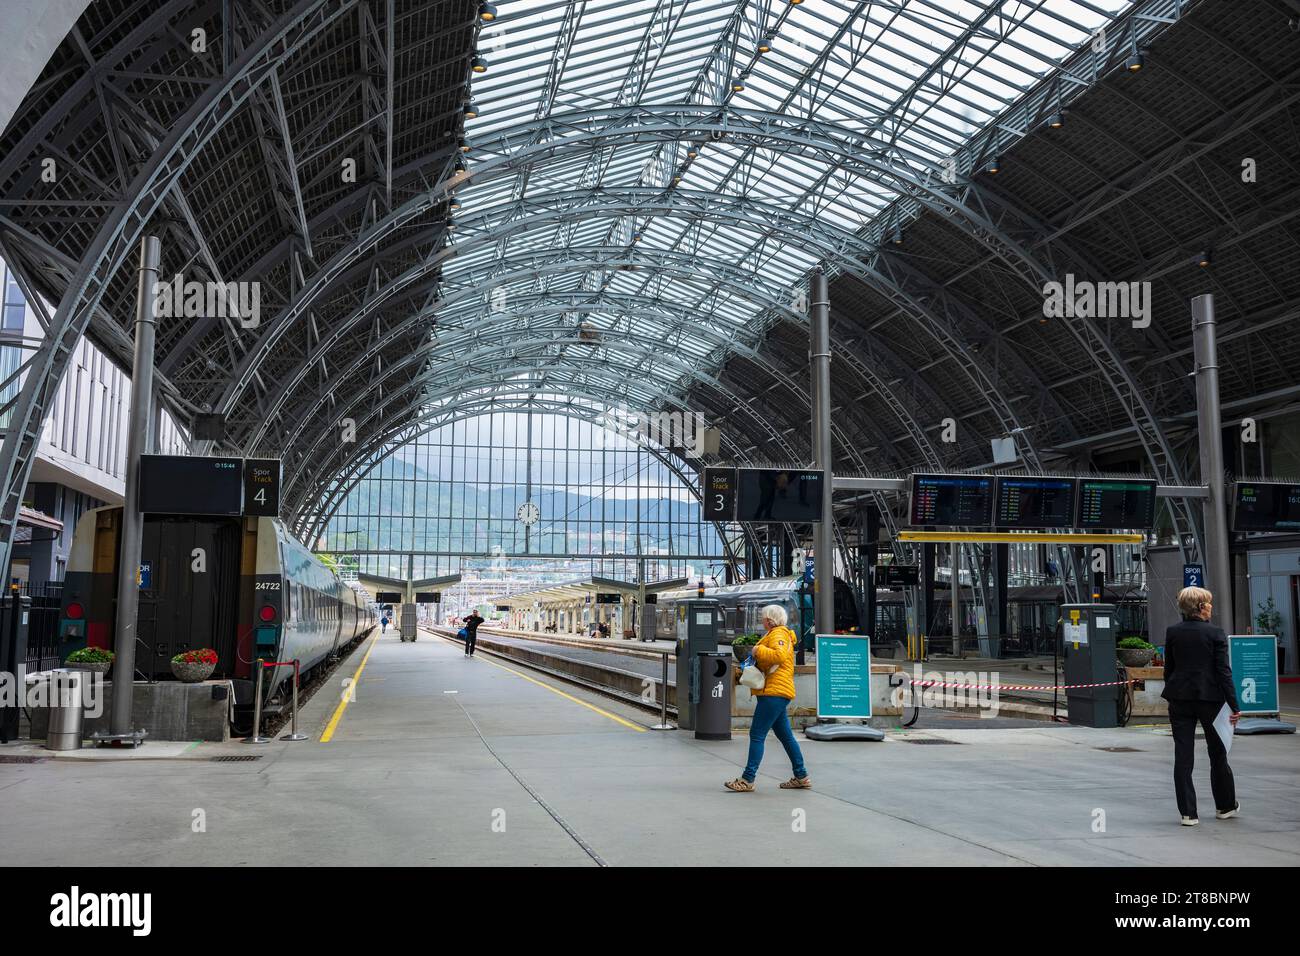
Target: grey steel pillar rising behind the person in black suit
(1219,572)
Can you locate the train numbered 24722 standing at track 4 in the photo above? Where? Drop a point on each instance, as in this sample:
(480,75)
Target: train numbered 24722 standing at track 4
(244,587)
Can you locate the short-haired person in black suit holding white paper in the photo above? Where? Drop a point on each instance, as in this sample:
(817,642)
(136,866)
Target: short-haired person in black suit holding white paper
(1198,686)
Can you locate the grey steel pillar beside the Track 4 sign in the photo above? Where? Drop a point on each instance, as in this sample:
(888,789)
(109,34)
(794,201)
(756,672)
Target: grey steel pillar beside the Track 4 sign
(133,522)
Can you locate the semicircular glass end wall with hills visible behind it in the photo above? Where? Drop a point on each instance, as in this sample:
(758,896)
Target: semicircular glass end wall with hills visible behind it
(457,492)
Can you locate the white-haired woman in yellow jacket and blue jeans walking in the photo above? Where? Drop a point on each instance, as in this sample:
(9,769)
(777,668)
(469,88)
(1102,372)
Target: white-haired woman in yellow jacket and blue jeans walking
(775,657)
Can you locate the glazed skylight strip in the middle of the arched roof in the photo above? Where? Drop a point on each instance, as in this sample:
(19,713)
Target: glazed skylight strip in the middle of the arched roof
(630,235)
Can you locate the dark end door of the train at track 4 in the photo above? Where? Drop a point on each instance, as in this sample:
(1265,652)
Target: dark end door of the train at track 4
(189,591)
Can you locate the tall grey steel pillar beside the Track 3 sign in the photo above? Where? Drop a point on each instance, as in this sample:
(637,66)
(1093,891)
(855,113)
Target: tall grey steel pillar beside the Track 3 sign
(824,533)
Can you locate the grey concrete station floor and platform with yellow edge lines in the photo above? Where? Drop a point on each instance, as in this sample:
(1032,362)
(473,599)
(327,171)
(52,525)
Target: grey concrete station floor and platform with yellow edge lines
(444,760)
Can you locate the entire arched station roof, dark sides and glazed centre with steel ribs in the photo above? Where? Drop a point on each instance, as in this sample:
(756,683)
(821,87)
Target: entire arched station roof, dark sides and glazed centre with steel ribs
(618,204)
